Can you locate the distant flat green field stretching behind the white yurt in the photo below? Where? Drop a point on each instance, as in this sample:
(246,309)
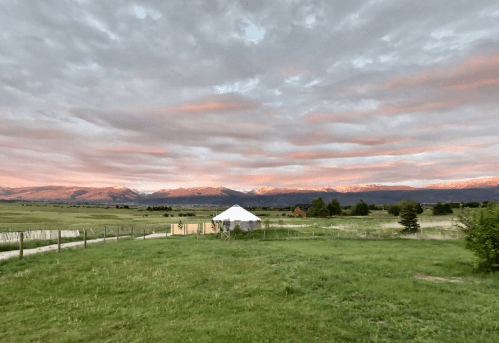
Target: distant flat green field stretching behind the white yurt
(34,216)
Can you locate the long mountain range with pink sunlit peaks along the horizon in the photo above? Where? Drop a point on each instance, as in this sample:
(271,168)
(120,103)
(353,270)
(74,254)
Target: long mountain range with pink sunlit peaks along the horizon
(459,191)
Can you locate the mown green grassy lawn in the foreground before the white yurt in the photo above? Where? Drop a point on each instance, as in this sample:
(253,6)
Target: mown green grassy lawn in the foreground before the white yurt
(184,289)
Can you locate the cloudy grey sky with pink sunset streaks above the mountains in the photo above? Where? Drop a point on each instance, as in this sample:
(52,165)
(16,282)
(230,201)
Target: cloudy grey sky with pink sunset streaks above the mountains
(241,94)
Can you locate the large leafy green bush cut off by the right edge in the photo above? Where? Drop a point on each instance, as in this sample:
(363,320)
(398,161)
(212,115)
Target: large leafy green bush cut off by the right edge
(482,236)
